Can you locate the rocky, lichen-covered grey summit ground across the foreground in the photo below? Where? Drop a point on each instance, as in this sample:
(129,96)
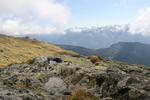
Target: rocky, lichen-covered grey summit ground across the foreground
(74,78)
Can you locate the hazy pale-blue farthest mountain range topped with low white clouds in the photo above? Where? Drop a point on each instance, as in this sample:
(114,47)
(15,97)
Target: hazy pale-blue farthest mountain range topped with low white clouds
(95,37)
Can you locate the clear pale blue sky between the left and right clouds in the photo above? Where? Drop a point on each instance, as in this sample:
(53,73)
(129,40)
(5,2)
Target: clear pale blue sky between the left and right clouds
(103,12)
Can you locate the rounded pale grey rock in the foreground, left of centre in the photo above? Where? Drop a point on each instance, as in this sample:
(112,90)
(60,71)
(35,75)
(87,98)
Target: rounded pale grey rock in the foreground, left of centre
(55,86)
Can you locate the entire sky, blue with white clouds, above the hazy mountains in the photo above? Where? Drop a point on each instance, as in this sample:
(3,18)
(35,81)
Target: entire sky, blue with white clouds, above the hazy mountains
(53,16)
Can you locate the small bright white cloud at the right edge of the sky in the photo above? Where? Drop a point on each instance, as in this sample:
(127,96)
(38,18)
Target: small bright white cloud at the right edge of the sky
(142,23)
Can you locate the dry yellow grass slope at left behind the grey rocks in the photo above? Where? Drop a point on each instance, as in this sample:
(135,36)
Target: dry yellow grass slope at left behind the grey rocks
(19,50)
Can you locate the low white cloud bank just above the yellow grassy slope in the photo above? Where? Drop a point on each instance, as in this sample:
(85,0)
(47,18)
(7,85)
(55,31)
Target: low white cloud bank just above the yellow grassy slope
(16,27)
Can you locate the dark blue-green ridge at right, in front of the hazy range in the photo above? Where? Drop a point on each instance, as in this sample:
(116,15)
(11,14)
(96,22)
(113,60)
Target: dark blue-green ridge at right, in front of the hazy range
(130,52)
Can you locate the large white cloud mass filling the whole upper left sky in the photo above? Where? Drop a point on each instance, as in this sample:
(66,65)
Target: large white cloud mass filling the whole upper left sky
(32,16)
